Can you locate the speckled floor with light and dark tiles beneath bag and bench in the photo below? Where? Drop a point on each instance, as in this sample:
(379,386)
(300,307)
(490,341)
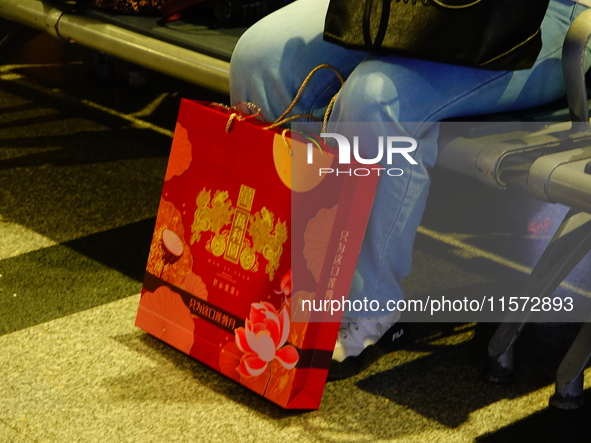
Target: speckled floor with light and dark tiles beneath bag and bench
(81,168)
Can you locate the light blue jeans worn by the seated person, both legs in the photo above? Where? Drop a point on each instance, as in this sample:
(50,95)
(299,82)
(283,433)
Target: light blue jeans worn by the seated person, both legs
(275,55)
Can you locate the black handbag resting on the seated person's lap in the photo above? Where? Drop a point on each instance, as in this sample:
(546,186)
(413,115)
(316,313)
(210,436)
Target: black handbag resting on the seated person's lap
(491,34)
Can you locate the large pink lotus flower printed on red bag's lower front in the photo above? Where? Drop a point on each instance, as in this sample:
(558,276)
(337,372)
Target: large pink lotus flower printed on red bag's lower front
(263,338)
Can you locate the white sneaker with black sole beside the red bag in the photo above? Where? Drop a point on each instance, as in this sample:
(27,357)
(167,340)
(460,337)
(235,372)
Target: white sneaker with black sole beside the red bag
(361,341)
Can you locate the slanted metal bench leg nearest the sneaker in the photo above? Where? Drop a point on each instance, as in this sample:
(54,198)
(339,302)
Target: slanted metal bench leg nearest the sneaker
(569,245)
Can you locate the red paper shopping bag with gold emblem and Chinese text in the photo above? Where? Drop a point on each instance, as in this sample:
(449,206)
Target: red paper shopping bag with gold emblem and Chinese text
(248,234)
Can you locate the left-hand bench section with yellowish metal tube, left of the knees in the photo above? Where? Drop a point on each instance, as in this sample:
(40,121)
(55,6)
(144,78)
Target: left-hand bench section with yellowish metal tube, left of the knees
(192,53)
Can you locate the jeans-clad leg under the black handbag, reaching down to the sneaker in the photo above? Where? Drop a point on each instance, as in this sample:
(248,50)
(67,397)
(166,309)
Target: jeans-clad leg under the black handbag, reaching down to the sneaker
(394,95)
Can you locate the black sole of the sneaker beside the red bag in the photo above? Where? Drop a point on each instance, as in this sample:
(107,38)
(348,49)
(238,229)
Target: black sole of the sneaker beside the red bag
(389,342)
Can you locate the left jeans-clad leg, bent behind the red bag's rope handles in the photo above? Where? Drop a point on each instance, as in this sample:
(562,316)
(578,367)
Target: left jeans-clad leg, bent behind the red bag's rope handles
(276,54)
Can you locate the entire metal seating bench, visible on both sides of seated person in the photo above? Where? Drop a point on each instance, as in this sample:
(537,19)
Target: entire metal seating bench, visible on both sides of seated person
(552,163)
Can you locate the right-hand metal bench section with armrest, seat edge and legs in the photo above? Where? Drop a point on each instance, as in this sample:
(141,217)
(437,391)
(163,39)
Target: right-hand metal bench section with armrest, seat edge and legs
(554,165)
